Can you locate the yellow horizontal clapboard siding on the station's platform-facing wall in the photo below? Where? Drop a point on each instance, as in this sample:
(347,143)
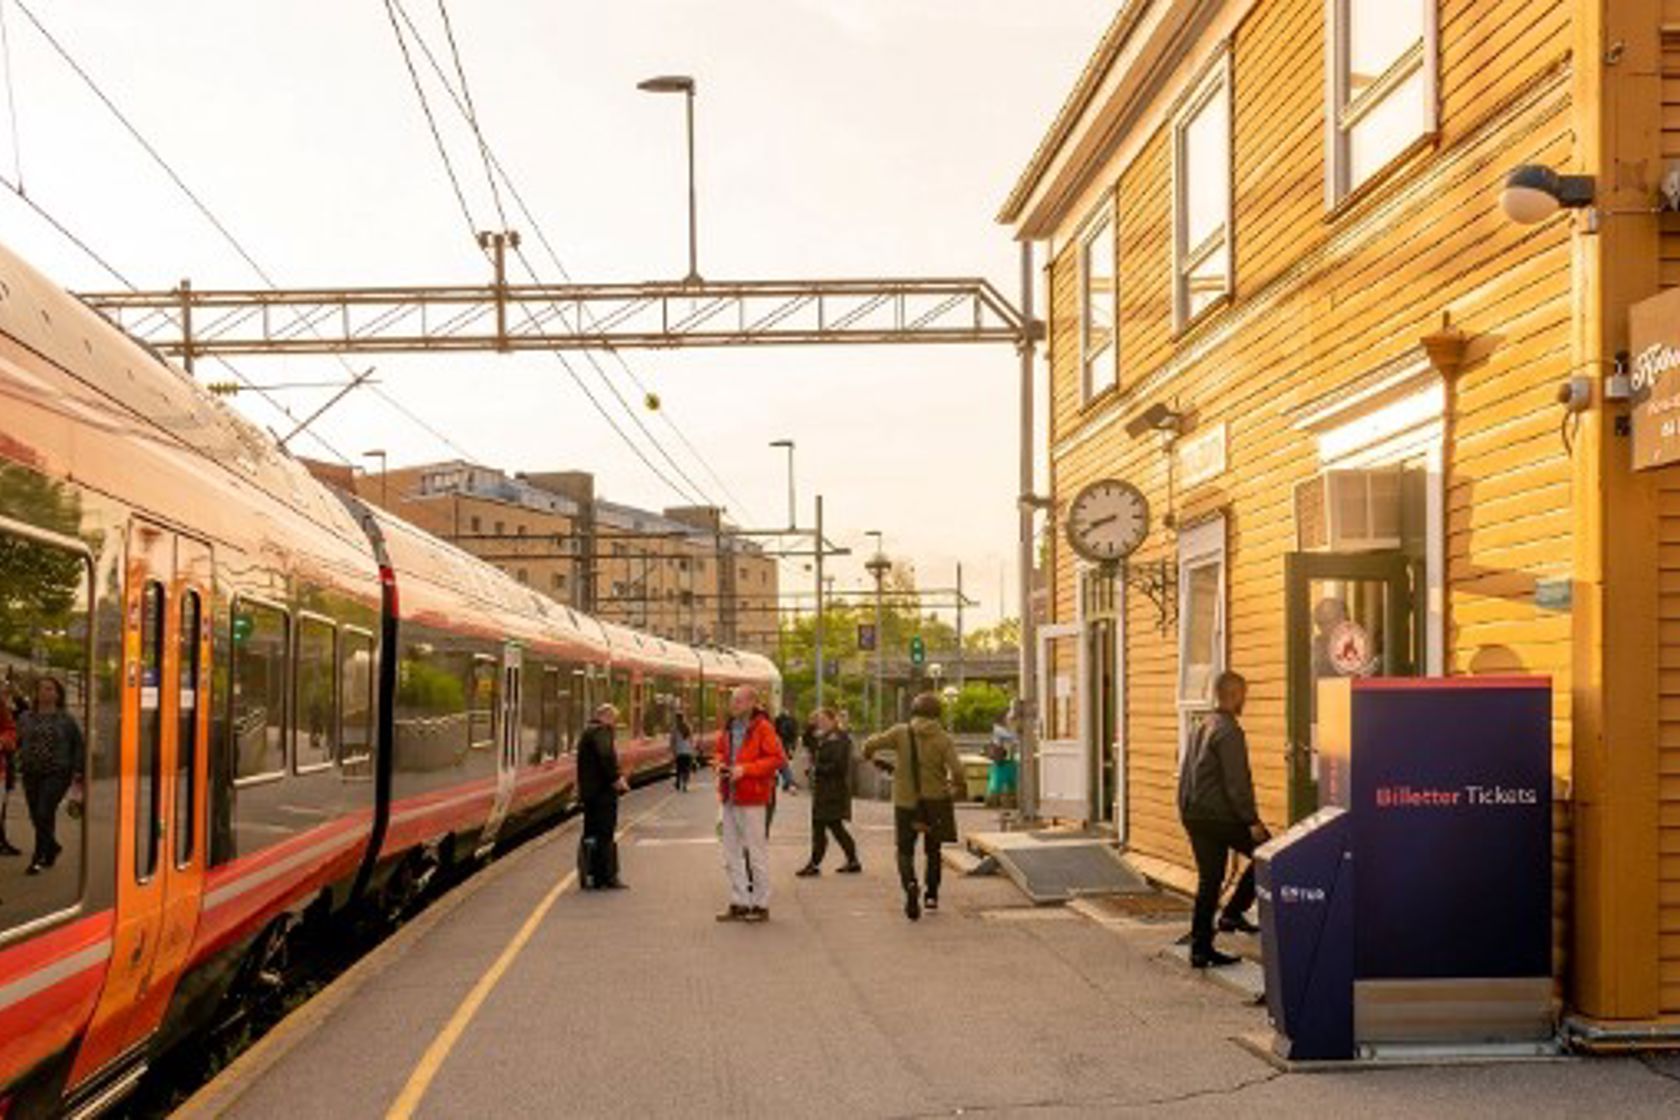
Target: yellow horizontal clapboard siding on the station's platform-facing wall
(1321,300)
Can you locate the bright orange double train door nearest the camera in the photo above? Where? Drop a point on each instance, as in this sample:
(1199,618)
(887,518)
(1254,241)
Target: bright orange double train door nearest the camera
(162,780)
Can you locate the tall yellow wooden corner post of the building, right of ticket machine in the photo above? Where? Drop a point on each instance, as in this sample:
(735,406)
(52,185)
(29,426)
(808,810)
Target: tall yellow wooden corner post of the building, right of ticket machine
(1615,689)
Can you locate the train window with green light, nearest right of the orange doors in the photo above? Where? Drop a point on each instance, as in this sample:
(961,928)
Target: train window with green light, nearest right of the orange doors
(261,639)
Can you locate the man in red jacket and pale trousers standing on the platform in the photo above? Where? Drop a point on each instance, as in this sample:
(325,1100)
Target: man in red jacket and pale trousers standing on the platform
(748,758)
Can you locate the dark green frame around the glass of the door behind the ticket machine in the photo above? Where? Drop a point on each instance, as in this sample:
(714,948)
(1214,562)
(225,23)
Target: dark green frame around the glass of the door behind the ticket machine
(1404,577)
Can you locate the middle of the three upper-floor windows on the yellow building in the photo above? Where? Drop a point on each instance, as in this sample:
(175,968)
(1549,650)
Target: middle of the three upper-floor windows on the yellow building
(1202,206)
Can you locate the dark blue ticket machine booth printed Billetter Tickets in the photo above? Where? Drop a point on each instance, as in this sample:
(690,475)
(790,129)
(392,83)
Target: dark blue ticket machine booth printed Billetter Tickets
(1441,790)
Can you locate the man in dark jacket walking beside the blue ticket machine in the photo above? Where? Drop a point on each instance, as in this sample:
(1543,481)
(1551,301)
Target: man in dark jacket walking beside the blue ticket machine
(1217,805)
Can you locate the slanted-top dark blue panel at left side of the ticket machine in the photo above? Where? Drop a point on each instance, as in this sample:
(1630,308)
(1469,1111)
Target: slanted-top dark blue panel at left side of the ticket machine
(1305,882)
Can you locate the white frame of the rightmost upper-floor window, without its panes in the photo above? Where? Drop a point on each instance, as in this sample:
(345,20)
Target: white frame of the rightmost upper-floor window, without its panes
(1341,117)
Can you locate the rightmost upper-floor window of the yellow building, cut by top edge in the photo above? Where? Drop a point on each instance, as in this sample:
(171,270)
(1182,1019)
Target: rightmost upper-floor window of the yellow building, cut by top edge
(1382,83)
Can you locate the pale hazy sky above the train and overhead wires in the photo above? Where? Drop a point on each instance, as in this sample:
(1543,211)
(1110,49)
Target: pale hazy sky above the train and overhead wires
(836,139)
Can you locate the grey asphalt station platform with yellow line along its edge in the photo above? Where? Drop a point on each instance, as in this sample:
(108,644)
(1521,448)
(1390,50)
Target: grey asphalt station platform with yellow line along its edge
(517,997)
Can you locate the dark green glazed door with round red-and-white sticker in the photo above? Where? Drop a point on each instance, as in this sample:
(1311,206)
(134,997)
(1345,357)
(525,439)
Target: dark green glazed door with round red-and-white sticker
(1348,615)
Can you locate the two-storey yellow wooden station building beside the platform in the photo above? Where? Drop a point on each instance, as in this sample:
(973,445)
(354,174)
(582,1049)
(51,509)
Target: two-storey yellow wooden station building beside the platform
(1375,417)
